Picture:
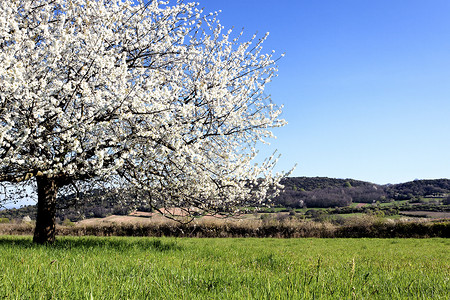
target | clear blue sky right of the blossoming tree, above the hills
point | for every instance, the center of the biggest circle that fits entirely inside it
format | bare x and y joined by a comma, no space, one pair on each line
365,84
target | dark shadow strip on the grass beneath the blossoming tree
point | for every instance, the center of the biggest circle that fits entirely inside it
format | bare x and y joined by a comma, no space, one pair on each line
120,244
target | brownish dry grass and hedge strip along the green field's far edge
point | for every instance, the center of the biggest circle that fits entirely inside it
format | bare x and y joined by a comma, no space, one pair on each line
287,227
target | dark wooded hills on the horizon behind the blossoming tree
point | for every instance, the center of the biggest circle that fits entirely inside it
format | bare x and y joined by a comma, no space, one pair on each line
299,192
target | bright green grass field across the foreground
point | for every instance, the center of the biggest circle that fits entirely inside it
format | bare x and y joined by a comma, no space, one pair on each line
169,268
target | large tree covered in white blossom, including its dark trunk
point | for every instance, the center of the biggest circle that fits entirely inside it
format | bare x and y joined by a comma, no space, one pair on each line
150,94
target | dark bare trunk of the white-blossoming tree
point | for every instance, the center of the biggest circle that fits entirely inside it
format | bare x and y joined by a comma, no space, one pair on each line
45,221
